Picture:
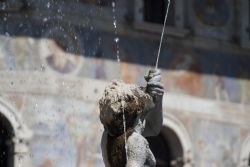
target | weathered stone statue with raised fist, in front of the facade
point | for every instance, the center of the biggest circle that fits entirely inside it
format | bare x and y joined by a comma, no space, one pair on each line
129,113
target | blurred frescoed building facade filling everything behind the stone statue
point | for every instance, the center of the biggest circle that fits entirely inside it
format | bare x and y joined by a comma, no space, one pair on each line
57,56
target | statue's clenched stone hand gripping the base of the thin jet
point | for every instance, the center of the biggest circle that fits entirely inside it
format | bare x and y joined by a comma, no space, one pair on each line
154,86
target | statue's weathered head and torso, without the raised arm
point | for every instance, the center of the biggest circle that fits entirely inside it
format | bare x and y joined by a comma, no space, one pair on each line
121,109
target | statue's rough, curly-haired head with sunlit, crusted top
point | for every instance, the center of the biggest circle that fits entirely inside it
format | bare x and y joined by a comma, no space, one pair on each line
122,98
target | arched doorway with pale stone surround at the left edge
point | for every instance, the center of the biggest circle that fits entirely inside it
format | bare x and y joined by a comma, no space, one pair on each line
14,138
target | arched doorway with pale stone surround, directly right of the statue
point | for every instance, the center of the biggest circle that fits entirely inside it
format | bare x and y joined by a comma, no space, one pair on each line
172,147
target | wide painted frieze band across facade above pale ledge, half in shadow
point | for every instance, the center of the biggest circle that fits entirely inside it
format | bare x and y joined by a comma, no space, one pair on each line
198,72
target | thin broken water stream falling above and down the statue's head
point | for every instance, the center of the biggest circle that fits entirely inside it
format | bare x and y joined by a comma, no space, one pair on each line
116,40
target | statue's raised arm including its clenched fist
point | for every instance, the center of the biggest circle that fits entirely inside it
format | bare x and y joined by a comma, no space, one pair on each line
154,118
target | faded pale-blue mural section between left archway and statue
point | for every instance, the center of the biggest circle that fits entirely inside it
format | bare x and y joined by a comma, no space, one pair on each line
68,133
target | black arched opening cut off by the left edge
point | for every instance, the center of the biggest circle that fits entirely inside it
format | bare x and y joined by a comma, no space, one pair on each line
6,143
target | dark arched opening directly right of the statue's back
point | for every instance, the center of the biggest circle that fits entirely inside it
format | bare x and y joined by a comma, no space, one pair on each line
167,149
